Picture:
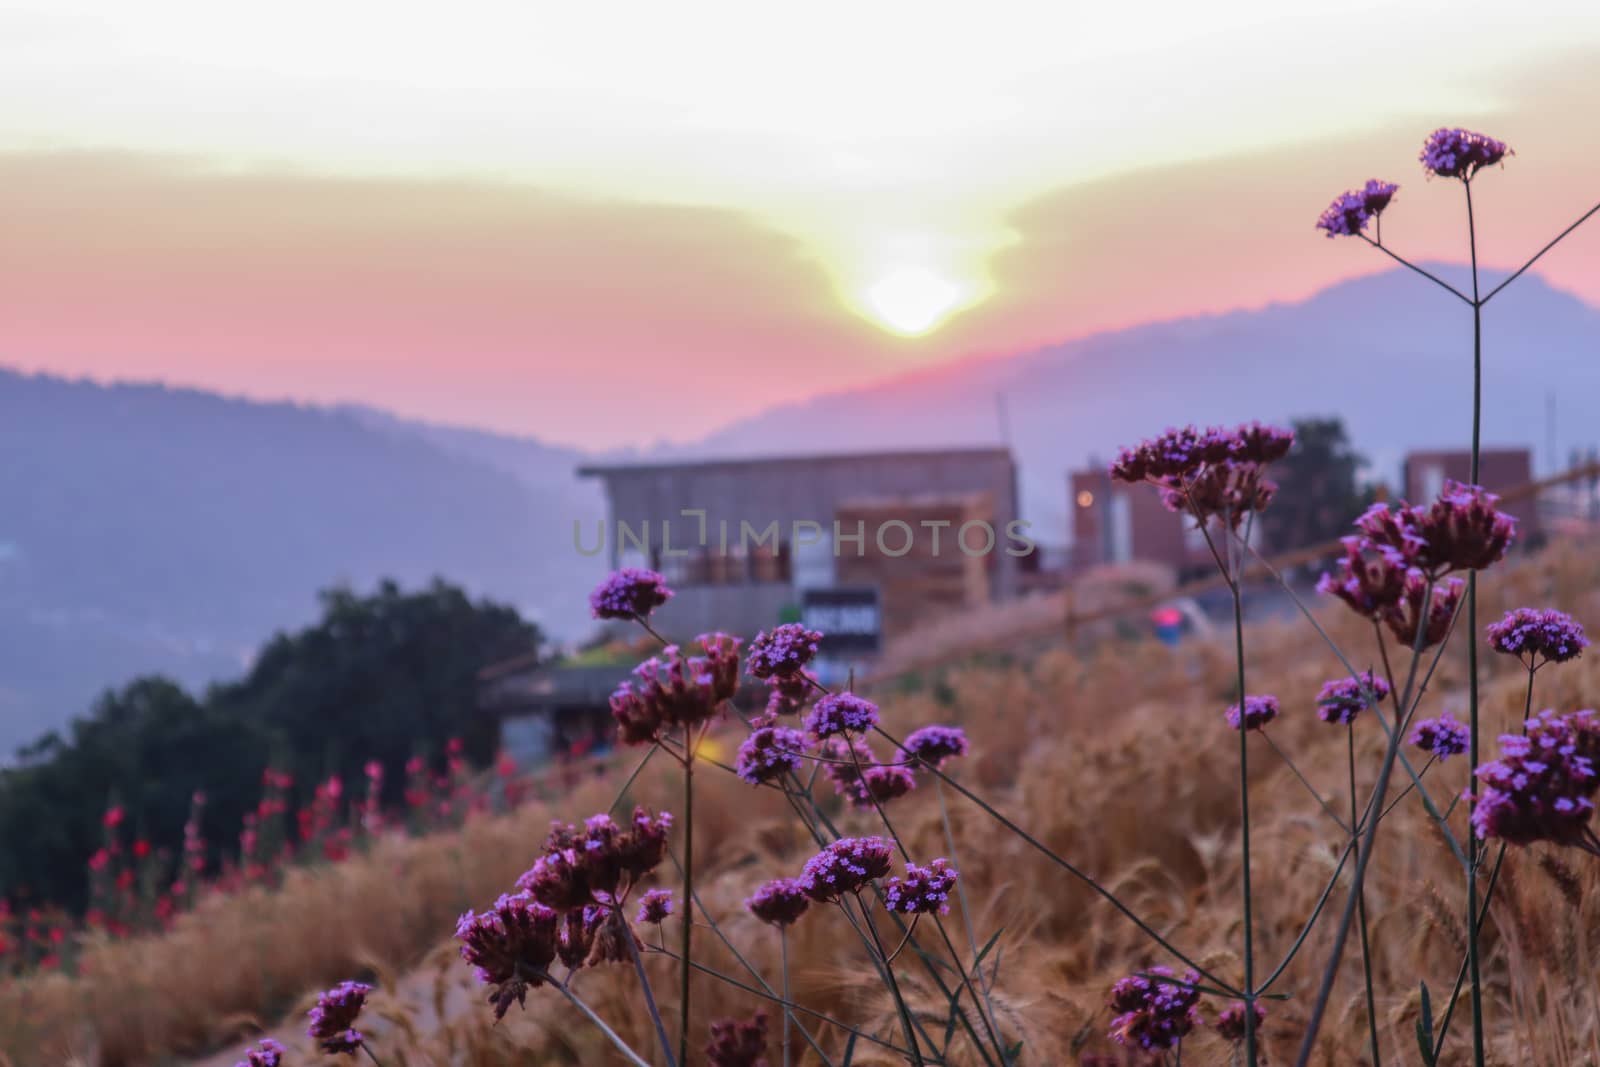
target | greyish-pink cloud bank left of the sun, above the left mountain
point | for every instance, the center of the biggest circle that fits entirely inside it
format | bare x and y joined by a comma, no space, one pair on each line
497,305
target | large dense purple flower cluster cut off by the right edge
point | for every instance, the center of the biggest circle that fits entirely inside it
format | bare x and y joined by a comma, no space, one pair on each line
1543,786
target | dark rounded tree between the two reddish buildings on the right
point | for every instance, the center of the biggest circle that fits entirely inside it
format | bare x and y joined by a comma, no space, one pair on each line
1318,497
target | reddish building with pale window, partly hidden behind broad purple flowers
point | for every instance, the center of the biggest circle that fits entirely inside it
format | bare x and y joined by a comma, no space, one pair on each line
1127,524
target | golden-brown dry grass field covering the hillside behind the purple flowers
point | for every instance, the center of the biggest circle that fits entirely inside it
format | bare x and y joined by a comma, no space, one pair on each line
1118,759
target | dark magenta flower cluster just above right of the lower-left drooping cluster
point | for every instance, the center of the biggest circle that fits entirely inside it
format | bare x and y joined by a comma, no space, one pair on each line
599,861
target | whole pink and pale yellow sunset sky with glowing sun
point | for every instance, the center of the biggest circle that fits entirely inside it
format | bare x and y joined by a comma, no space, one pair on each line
615,225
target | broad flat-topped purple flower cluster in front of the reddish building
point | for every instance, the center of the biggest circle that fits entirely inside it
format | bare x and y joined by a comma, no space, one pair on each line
1209,473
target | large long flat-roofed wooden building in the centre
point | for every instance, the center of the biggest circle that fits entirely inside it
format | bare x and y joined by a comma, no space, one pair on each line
743,540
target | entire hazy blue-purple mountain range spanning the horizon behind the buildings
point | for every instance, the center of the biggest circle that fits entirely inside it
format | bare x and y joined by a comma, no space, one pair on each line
170,530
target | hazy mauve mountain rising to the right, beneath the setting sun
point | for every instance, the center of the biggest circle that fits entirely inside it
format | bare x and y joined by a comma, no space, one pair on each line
1390,353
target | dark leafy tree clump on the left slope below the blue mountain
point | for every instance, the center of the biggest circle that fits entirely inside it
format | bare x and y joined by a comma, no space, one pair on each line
378,677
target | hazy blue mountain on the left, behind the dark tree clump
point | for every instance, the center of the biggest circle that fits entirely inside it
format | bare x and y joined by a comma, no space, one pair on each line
166,530
